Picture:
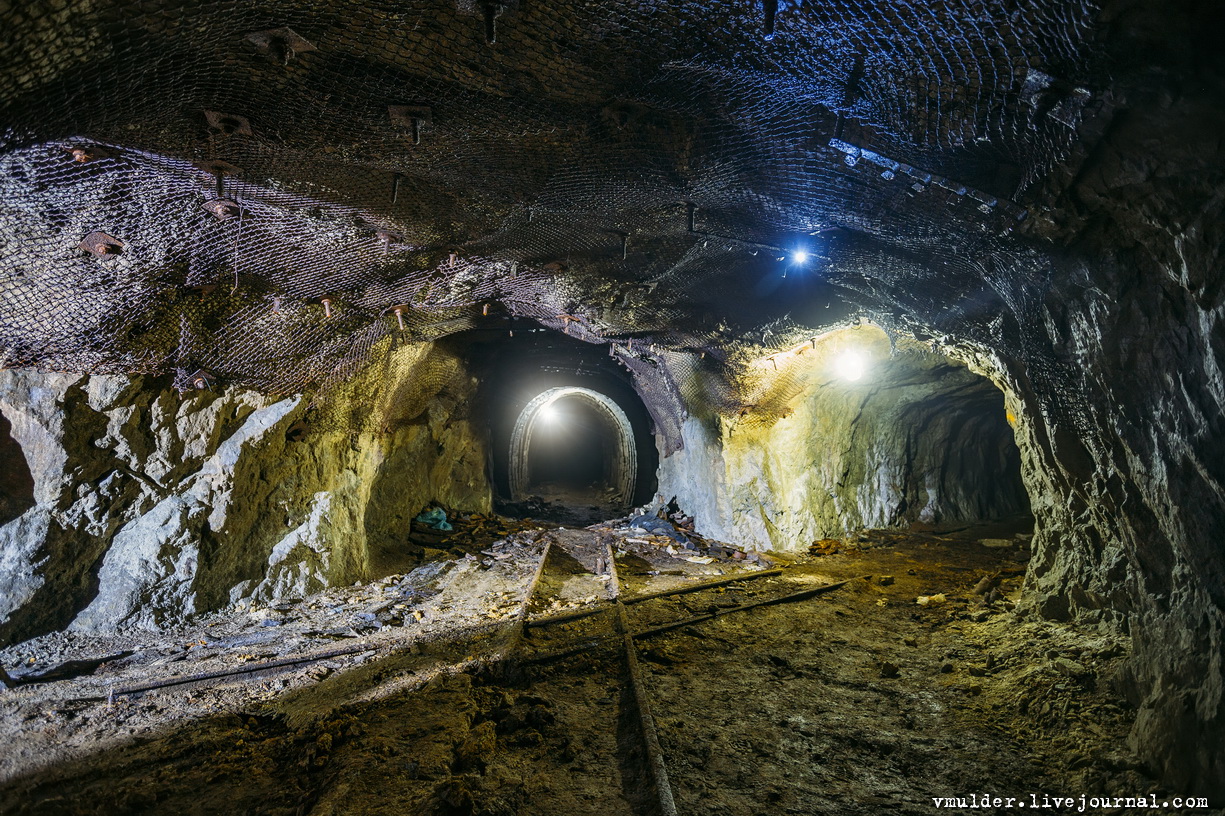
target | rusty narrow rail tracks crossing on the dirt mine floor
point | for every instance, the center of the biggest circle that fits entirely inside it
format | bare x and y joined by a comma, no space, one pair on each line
584,661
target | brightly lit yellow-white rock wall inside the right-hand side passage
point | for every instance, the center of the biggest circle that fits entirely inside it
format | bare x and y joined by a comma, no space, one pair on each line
919,438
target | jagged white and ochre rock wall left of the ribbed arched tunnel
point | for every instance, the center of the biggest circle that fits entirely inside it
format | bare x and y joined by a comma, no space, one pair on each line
150,507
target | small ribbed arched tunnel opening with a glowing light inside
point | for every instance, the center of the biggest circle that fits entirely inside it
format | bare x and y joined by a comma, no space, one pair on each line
575,447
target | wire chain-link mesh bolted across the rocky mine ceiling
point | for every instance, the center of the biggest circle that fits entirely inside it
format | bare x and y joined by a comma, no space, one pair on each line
263,193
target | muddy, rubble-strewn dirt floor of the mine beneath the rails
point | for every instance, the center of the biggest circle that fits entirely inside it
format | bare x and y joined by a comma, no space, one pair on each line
861,700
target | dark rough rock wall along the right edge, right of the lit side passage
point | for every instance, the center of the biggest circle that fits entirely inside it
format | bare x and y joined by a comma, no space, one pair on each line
1136,529
